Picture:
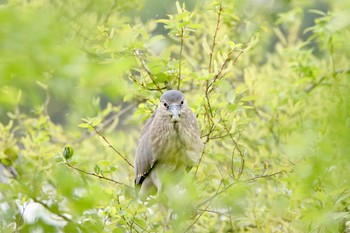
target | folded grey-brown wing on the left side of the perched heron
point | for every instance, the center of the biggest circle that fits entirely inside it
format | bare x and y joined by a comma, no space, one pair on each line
144,161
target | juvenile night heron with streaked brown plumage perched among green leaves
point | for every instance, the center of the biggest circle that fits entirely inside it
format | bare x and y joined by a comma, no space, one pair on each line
169,144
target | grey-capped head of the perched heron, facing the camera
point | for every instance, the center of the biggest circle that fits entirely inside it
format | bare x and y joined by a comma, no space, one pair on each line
173,101
